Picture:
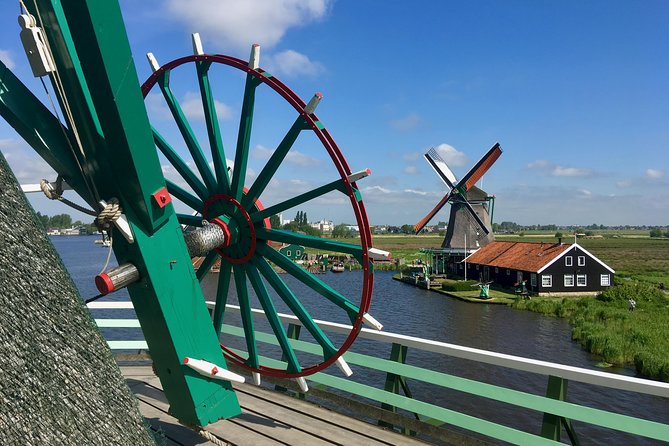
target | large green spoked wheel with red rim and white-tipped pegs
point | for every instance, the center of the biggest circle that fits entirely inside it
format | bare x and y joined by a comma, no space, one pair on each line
211,191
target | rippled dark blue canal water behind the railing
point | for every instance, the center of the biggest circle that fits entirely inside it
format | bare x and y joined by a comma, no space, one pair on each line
412,311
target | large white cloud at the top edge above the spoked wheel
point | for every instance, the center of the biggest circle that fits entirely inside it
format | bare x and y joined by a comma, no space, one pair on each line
235,24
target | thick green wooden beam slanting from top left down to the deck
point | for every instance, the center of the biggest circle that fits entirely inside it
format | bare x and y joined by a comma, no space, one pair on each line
101,87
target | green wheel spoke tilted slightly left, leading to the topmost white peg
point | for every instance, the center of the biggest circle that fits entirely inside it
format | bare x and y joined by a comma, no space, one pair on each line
213,129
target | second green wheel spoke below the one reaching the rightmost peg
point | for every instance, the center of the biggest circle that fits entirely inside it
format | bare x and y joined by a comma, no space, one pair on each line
295,305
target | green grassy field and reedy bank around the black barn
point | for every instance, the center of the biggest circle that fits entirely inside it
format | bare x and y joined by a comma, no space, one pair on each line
602,325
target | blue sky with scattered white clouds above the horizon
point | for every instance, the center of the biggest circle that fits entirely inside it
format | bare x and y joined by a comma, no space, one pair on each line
575,92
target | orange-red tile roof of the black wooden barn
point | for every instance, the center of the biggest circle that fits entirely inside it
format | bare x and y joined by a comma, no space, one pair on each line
524,256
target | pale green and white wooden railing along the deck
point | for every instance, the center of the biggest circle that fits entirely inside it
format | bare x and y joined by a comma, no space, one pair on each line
557,413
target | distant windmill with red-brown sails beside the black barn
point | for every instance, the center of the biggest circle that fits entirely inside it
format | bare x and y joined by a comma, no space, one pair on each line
469,224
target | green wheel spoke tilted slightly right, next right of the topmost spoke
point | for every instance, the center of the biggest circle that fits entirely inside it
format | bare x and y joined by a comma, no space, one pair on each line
244,138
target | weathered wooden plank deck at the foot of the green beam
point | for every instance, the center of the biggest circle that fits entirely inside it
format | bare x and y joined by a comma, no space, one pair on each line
268,418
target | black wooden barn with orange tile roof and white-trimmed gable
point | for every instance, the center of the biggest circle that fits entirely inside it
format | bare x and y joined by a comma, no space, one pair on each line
547,269
